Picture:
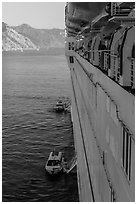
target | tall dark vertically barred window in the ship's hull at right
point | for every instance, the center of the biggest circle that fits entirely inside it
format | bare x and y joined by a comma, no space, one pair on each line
126,154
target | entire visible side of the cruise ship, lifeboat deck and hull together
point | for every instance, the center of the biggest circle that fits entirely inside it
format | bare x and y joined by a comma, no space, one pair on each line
100,46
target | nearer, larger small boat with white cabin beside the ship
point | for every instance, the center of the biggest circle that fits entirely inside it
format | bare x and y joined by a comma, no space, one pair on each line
55,163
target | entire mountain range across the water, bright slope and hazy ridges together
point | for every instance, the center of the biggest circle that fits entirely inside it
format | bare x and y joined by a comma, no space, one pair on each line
24,37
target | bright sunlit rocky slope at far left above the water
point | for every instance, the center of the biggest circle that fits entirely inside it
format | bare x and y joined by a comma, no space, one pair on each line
12,40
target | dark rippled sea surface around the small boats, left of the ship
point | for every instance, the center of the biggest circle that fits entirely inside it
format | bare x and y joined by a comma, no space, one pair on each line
31,129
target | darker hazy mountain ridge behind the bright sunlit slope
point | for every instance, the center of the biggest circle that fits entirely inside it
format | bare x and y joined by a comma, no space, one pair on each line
43,38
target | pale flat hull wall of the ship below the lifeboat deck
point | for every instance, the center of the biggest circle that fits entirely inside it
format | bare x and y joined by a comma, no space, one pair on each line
100,107
